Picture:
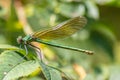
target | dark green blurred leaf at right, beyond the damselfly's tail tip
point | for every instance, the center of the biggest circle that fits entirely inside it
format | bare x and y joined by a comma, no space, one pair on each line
104,37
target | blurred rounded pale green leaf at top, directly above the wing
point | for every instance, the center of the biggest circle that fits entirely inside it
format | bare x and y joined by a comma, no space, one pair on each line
71,10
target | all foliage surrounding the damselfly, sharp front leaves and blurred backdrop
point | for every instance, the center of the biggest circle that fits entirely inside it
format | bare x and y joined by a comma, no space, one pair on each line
101,35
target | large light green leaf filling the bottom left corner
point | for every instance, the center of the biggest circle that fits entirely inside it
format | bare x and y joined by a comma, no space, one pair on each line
13,66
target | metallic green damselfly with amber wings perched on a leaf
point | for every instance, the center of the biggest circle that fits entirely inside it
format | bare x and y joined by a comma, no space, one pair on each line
62,30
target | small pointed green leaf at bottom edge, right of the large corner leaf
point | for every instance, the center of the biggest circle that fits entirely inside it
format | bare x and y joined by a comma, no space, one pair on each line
49,72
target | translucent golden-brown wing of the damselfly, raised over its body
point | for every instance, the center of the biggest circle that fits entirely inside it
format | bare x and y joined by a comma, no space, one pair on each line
62,30
